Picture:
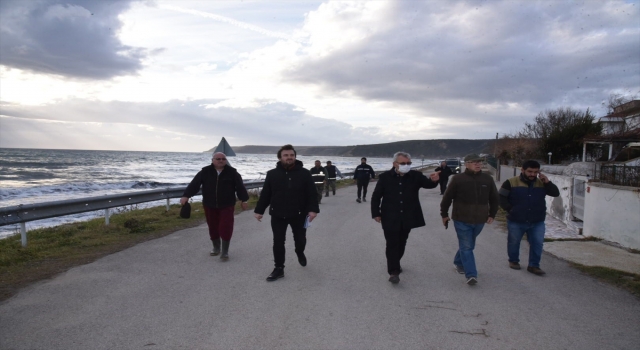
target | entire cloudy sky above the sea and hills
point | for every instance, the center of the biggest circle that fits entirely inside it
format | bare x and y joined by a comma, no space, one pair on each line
179,75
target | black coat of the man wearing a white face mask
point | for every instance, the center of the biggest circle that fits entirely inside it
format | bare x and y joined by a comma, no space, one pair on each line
400,206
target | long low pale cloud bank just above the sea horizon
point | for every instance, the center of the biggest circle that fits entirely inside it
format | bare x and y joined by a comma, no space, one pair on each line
191,121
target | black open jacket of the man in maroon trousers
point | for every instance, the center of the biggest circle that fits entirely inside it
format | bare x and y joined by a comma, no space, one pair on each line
218,191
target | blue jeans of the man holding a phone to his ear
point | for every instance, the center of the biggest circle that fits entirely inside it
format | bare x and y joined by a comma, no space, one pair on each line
535,235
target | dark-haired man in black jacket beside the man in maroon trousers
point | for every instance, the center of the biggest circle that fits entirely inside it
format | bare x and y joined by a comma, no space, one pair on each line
291,196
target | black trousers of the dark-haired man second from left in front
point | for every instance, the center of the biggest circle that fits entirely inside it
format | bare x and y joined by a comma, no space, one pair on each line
279,227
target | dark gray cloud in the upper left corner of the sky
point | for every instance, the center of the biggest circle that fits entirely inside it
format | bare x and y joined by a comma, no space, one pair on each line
72,38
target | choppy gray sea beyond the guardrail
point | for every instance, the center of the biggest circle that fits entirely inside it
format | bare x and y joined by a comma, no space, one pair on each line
42,175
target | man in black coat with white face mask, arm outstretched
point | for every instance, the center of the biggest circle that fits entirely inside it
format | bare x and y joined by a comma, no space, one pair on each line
400,210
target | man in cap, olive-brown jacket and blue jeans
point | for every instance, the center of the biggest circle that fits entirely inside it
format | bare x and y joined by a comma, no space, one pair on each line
475,202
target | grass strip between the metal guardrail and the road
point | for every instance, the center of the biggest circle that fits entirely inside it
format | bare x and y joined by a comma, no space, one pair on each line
53,250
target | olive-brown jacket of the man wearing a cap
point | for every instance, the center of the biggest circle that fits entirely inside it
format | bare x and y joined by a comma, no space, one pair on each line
474,195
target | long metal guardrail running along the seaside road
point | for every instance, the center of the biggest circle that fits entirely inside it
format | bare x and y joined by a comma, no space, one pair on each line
20,214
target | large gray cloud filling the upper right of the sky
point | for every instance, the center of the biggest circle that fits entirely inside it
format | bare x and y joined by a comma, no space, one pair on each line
536,54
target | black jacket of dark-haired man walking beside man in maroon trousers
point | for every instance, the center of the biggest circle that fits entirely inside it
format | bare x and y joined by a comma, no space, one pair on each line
288,192
